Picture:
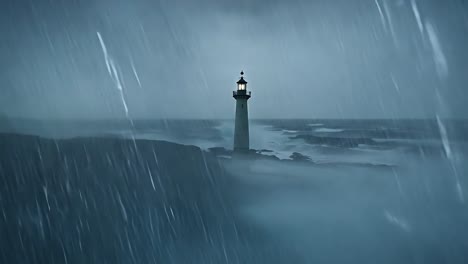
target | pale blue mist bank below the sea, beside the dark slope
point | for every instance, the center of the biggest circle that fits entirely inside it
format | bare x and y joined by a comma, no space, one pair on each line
410,213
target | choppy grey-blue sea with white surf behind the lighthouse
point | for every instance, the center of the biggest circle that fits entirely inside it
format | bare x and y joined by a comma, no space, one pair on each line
353,141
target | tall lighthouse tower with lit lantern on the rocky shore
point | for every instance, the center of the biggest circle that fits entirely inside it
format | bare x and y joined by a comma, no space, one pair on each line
241,132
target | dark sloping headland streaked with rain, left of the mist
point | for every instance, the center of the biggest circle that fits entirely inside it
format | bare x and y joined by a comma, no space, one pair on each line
104,200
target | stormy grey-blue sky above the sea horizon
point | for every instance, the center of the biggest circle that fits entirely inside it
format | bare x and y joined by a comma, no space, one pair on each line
181,58
